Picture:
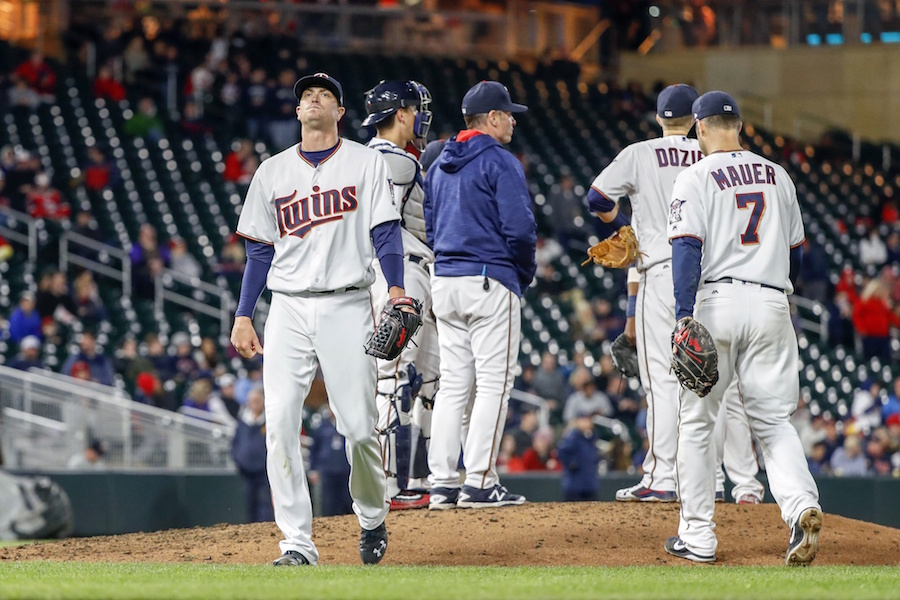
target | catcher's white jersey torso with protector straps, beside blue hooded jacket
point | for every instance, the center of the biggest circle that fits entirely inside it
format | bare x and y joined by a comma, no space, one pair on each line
406,173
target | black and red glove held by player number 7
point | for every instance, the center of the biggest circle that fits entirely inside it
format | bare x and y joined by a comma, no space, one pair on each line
694,356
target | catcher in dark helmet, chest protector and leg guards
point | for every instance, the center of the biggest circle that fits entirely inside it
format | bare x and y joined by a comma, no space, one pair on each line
406,385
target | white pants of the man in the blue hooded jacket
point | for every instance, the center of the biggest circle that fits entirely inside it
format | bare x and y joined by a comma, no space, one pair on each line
478,334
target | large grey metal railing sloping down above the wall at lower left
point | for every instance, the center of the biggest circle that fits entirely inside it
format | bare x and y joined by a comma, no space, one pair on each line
46,419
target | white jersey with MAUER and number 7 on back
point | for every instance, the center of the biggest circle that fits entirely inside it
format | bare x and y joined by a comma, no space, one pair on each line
744,209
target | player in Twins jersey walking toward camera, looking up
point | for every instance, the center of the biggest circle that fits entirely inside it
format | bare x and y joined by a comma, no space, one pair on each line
314,218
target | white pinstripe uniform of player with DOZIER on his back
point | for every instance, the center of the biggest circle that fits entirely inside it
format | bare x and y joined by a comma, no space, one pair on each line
645,172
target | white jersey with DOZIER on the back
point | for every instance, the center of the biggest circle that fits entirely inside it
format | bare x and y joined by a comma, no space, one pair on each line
646,171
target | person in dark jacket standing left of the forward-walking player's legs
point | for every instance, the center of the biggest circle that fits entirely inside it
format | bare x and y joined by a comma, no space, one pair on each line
248,449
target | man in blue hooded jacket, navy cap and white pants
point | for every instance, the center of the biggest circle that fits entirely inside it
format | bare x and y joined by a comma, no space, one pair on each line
479,222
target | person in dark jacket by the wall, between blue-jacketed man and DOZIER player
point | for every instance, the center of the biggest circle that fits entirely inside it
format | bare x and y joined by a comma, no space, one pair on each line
580,459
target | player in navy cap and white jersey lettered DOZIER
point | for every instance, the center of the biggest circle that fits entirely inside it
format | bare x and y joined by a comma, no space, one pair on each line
645,172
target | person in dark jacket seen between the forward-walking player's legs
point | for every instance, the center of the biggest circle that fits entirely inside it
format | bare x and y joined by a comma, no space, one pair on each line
329,469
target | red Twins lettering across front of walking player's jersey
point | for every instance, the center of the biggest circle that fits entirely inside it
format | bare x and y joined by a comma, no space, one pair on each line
297,216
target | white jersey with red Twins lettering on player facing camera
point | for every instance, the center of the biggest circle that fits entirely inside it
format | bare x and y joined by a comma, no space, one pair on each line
290,202
